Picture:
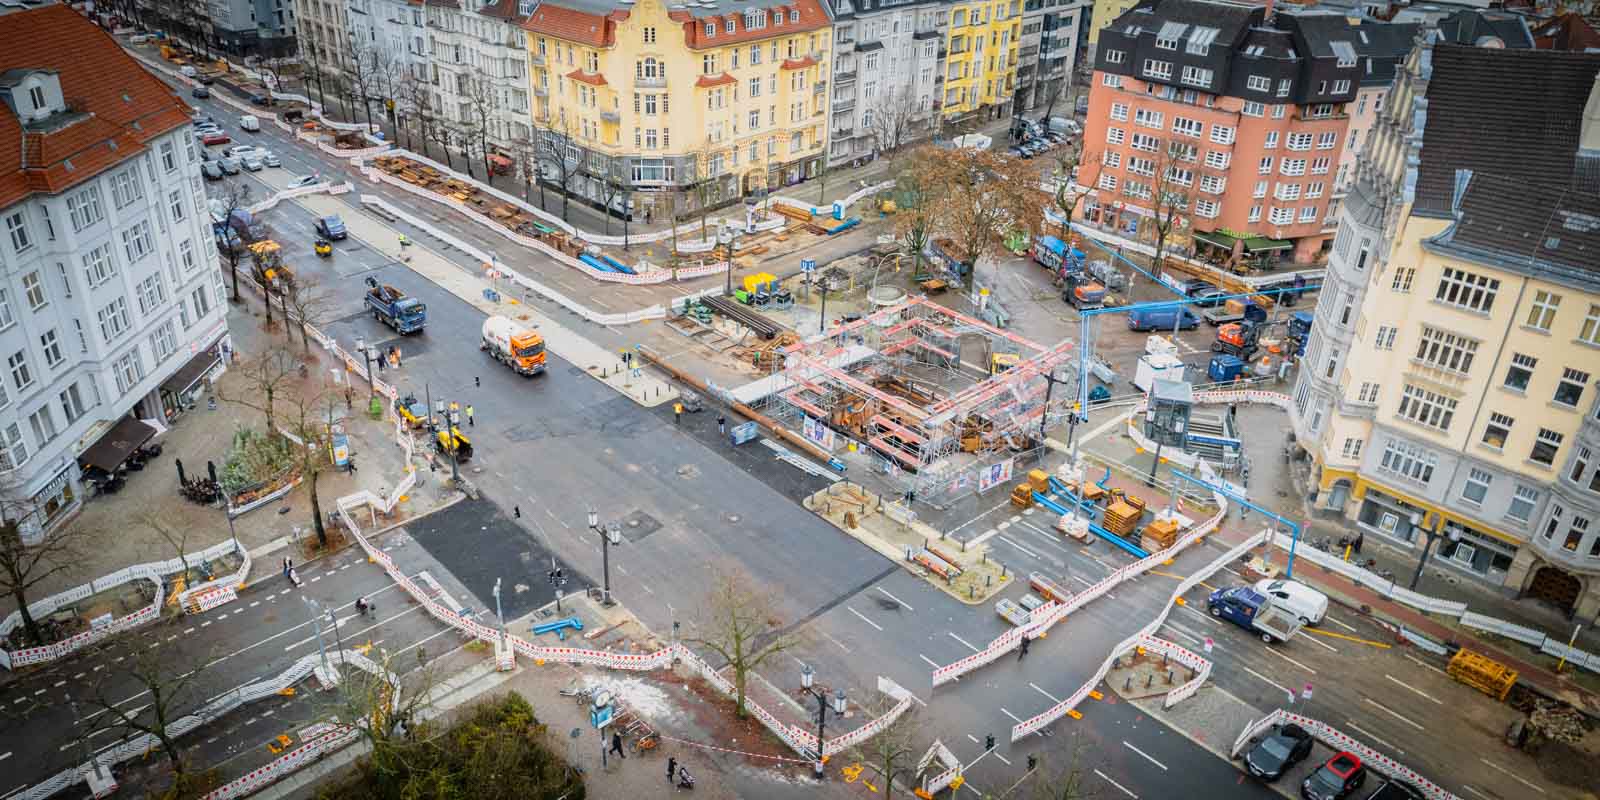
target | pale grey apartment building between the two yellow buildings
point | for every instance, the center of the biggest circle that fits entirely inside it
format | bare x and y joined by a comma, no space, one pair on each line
889,66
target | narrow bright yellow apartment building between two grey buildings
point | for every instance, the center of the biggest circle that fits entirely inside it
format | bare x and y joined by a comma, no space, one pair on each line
980,71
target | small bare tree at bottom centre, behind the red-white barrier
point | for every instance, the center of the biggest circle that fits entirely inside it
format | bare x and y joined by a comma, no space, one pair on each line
742,625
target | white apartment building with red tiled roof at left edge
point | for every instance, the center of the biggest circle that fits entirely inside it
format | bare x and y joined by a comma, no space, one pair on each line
113,308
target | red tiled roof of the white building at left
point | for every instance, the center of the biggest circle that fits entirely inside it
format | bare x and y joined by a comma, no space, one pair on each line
126,105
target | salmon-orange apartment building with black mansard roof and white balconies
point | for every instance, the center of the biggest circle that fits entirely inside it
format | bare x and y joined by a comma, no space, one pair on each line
1257,108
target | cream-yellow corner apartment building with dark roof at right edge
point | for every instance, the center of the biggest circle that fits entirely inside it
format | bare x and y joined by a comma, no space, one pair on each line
1449,394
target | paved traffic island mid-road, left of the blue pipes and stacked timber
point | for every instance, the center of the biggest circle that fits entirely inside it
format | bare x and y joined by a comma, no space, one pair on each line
967,574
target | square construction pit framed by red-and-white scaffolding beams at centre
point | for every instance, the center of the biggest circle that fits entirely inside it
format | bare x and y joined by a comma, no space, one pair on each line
934,401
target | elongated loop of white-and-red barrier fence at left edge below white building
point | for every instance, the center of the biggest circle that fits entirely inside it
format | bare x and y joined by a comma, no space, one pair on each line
154,572
